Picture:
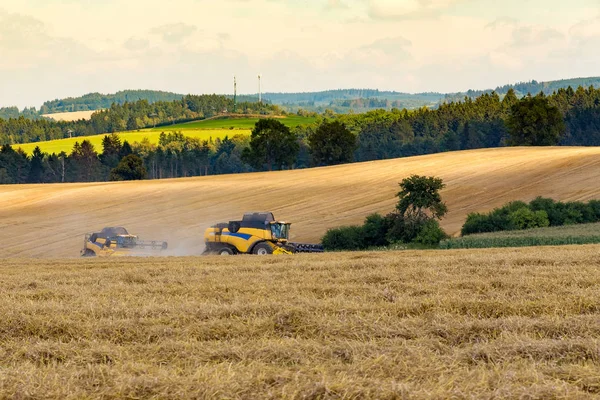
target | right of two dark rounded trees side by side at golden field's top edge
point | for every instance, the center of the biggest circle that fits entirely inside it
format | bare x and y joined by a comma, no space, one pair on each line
332,143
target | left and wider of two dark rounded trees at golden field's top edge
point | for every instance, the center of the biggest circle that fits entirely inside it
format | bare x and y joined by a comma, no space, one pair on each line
272,144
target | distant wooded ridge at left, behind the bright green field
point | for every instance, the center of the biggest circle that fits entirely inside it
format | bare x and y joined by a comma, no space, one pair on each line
127,116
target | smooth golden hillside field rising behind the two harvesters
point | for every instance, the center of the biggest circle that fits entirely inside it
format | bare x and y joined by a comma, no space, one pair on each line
50,220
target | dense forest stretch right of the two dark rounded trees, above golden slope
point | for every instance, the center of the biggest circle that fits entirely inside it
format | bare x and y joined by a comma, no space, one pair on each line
567,117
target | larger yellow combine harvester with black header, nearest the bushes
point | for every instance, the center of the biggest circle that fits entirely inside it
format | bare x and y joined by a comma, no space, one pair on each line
257,233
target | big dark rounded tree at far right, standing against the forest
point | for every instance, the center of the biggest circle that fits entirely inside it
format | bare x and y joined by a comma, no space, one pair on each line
534,122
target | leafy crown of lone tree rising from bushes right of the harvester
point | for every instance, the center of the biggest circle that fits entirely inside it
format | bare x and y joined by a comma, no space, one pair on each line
420,197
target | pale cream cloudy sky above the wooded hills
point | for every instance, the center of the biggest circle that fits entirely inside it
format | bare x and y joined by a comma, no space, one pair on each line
58,48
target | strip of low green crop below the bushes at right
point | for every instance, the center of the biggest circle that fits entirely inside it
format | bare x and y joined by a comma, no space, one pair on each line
555,236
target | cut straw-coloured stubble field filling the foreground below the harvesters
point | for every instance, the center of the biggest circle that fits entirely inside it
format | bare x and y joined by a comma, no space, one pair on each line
521,323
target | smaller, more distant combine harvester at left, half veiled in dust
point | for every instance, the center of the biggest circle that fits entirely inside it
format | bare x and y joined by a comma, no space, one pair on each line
116,241
